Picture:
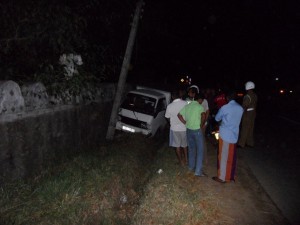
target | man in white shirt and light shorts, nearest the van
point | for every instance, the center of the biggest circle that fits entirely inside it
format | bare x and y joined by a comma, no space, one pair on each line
177,137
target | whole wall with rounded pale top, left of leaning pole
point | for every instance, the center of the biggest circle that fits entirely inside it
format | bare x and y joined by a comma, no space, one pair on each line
35,131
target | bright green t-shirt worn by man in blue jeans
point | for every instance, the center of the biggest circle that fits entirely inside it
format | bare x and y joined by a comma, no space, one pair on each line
192,115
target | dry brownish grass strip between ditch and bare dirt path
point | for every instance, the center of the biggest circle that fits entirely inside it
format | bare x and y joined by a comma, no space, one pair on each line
176,196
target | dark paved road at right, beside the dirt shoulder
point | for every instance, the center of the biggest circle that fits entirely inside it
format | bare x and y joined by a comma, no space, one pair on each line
275,162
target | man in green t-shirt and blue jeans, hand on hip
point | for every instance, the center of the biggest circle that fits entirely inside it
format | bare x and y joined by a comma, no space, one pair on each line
193,116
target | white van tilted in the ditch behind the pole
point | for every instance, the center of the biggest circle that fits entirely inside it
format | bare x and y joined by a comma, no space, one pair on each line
143,111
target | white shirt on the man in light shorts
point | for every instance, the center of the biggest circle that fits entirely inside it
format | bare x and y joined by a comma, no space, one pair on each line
171,113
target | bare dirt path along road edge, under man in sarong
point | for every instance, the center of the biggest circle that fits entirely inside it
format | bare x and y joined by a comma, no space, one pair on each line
245,201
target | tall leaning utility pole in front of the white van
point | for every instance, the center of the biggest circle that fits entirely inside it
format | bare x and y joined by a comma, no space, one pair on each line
123,75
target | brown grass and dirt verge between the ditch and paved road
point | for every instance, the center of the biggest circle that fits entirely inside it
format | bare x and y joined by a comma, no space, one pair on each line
241,202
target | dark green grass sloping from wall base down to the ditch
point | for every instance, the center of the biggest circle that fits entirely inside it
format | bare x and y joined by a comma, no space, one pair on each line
84,190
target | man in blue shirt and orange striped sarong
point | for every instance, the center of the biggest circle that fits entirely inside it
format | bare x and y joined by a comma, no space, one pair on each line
230,116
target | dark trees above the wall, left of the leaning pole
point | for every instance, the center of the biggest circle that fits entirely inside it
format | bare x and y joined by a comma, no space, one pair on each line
35,33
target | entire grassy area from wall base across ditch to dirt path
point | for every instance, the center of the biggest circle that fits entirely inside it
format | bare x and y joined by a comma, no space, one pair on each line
116,184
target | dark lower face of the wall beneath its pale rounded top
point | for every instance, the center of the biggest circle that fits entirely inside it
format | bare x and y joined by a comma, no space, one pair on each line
29,144
